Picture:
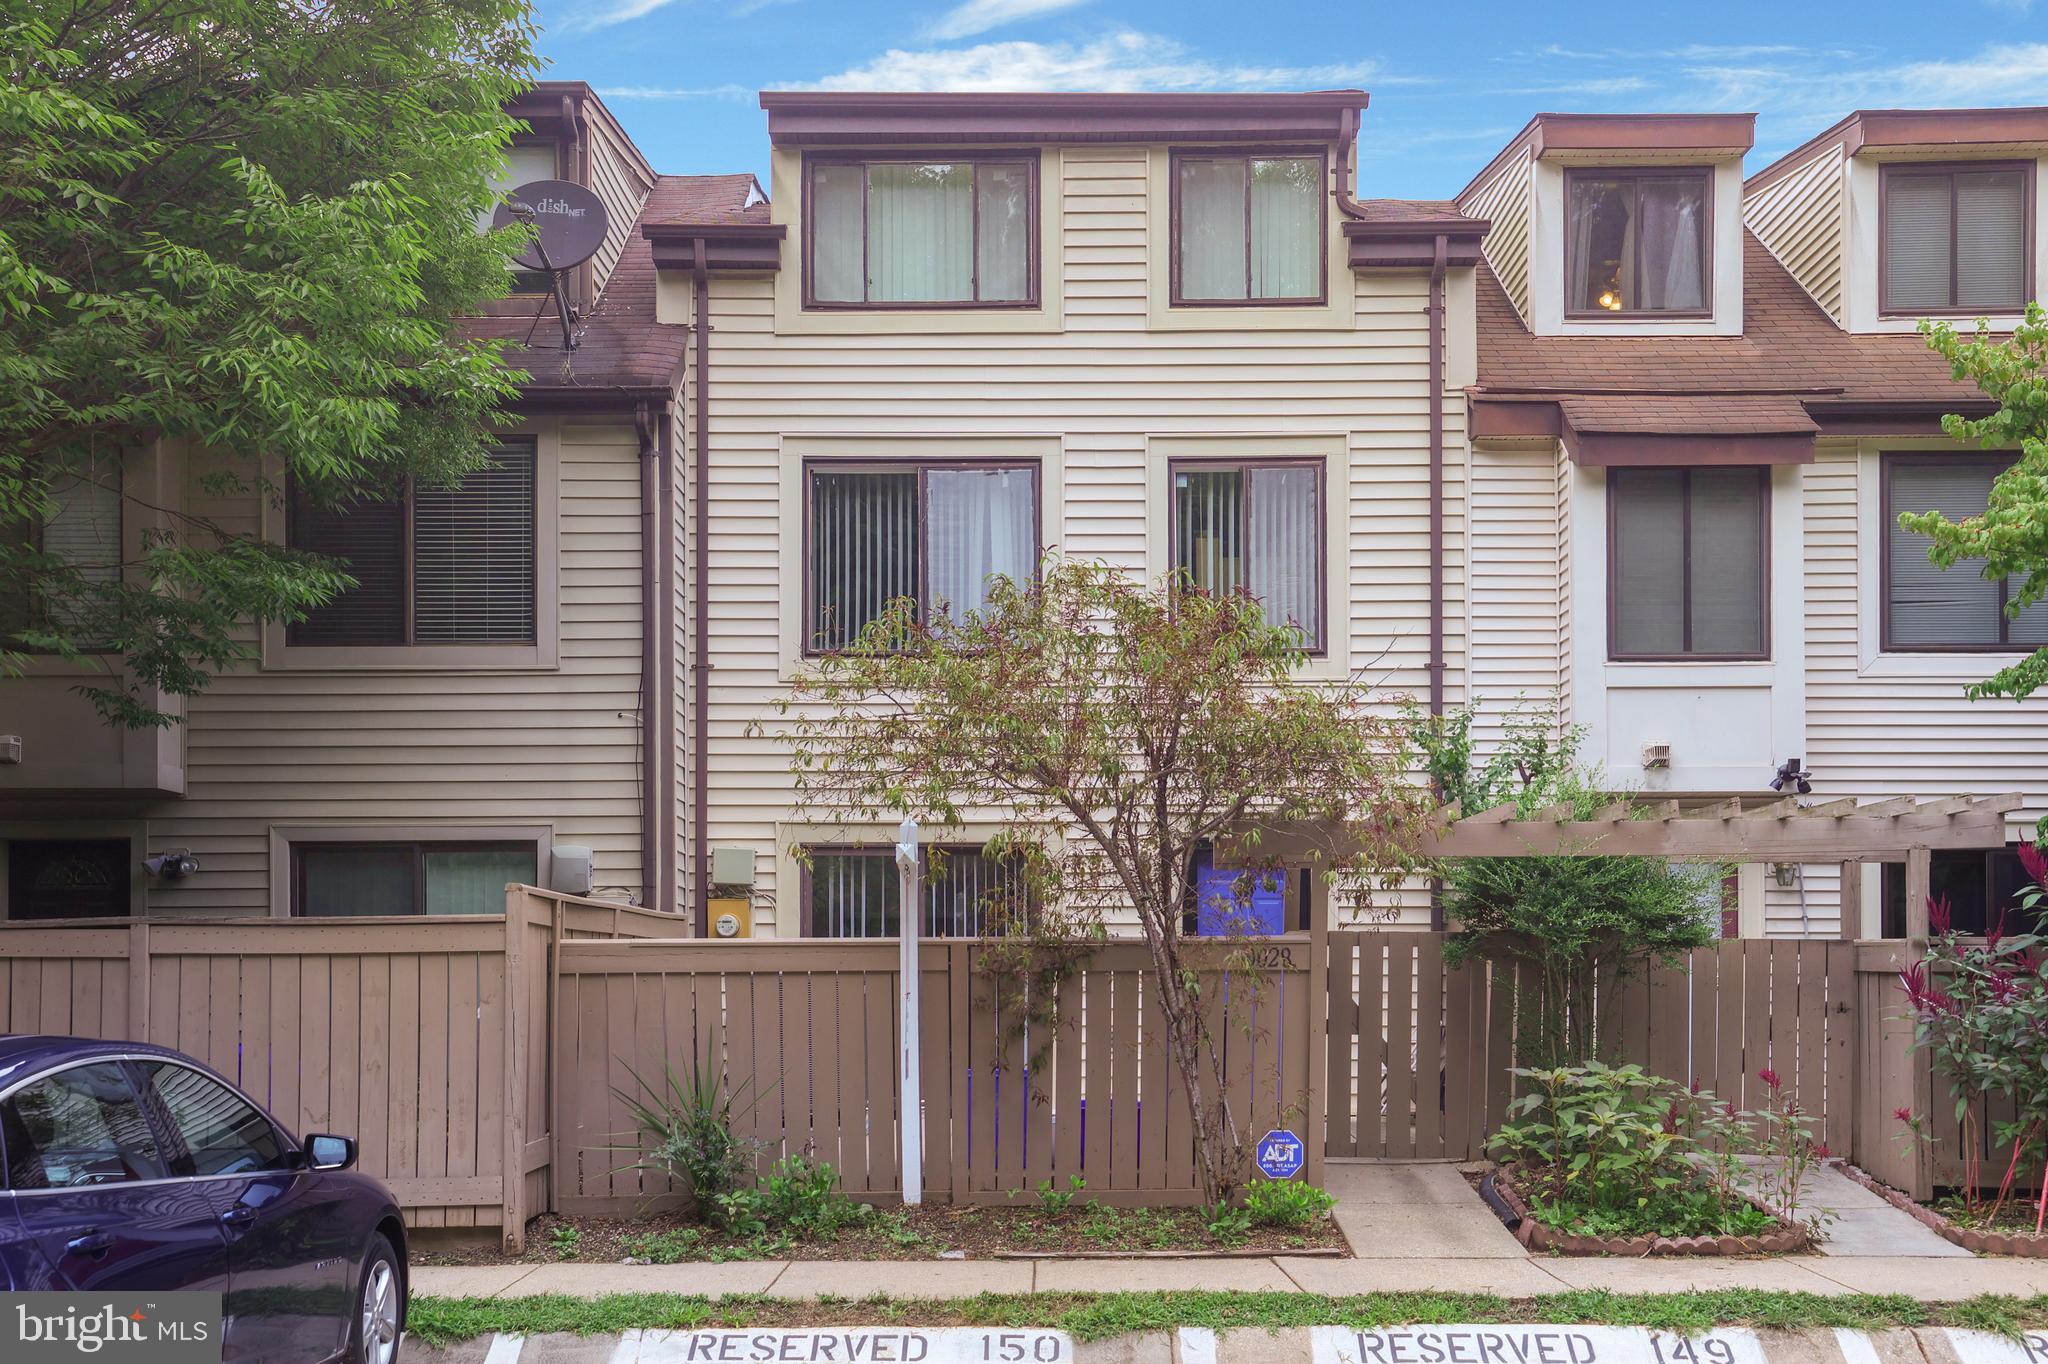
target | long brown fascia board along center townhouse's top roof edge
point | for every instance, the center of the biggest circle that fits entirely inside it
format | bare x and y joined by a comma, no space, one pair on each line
867,120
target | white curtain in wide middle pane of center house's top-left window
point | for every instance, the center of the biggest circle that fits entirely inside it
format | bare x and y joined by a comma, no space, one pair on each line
921,232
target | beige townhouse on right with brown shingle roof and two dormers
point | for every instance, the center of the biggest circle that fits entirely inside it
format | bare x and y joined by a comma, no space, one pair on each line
1701,402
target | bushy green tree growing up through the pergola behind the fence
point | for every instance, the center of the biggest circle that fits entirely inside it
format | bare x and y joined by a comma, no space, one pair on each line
1580,921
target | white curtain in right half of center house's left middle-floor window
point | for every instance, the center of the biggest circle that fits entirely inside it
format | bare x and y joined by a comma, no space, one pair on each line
980,525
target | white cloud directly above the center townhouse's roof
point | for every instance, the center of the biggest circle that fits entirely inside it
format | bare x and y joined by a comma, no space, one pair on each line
1119,62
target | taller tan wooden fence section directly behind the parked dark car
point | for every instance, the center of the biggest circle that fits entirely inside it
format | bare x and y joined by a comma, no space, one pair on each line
423,1039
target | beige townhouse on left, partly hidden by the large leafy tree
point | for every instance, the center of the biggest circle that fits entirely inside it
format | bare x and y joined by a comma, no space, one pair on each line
488,706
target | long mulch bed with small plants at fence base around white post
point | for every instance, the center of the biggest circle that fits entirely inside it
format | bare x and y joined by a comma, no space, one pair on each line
931,1232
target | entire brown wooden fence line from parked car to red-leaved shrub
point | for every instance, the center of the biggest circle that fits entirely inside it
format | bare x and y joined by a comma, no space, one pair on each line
480,1062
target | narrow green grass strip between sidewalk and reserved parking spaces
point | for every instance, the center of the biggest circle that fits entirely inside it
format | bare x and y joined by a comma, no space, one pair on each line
437,1322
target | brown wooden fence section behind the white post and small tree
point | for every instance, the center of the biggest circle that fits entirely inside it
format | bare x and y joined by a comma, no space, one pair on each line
806,1033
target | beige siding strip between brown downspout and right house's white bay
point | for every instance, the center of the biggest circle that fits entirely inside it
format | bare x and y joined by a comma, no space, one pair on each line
1519,585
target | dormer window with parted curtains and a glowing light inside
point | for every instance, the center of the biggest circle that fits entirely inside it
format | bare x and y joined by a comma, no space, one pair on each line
1637,241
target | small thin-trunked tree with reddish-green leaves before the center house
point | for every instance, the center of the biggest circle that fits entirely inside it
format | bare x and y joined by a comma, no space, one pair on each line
1109,728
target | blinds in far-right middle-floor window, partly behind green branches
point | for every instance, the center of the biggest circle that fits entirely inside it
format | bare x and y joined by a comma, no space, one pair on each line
1959,607
